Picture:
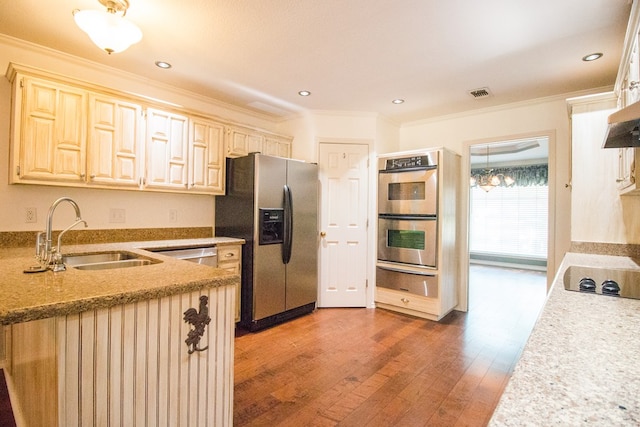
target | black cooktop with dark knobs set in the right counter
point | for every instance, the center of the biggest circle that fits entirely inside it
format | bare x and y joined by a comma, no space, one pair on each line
603,281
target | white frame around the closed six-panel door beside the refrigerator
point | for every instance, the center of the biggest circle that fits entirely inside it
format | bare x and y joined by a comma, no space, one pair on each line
371,209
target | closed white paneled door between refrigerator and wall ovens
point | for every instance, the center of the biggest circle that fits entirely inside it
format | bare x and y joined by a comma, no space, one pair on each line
343,173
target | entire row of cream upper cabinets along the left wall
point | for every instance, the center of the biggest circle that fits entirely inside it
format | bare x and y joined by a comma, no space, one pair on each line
65,132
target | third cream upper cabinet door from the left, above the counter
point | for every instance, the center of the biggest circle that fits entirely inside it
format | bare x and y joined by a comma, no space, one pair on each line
167,150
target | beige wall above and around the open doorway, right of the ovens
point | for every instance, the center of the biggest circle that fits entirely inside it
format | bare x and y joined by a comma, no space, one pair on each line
547,117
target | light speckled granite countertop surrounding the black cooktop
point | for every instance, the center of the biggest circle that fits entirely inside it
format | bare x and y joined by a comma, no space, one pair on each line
581,364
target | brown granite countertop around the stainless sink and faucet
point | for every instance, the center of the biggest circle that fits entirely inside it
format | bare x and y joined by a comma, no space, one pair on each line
31,296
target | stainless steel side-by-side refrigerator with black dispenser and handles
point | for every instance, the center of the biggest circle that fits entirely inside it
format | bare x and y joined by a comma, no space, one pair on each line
272,203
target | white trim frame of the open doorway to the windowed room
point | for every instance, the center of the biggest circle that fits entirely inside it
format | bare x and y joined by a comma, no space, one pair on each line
463,304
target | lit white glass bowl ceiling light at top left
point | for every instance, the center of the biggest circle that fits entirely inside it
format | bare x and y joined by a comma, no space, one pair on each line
109,29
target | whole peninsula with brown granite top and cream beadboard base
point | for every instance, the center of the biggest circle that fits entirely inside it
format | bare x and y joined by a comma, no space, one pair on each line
99,347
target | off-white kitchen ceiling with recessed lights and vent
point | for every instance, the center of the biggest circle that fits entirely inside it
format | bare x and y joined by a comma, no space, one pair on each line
353,55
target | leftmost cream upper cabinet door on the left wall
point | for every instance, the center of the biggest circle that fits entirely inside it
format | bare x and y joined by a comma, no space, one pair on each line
49,132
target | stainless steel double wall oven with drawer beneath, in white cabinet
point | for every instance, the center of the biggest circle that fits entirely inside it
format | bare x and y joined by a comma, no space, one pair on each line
408,223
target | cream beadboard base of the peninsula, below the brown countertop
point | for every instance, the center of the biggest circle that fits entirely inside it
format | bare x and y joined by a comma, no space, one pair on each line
126,365
